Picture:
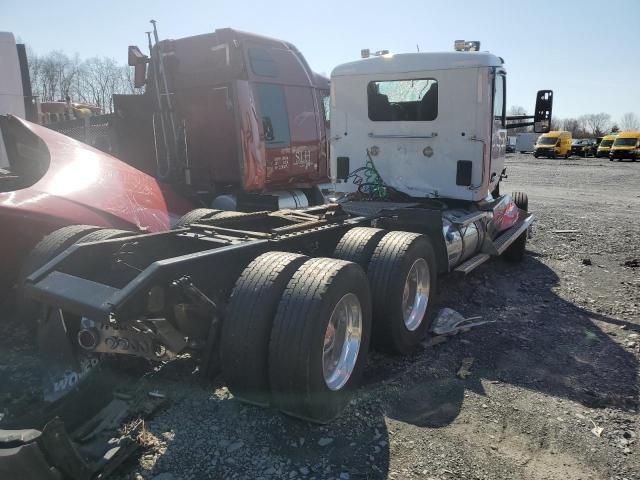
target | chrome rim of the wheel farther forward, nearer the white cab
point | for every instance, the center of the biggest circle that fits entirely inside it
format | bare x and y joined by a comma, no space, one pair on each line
415,296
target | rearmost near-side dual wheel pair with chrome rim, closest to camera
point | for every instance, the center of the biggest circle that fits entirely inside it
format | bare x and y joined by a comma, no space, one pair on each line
297,334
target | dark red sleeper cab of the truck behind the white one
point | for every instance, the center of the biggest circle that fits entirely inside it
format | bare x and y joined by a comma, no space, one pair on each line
251,110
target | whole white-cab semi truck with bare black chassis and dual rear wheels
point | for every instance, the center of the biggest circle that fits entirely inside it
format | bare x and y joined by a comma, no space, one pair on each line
287,303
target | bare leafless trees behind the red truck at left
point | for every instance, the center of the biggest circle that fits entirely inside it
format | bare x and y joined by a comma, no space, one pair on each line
56,76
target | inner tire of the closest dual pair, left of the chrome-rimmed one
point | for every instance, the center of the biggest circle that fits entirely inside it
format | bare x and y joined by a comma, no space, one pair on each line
247,327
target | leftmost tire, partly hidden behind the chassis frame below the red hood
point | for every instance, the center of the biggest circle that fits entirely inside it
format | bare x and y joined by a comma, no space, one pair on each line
44,251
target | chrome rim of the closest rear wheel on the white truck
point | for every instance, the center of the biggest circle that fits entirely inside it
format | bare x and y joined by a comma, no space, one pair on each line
342,342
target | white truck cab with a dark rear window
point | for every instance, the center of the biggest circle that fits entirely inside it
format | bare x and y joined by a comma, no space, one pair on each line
432,124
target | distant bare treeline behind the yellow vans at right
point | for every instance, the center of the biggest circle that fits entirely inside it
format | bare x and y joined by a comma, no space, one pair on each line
590,125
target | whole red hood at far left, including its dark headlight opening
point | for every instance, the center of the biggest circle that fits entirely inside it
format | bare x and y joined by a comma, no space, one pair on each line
68,182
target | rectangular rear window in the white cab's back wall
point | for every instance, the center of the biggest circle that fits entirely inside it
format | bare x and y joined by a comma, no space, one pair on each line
403,100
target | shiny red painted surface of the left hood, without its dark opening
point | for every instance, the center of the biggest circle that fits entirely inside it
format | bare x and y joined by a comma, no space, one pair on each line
81,180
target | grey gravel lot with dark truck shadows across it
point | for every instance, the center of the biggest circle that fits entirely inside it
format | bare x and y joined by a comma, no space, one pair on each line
553,391
